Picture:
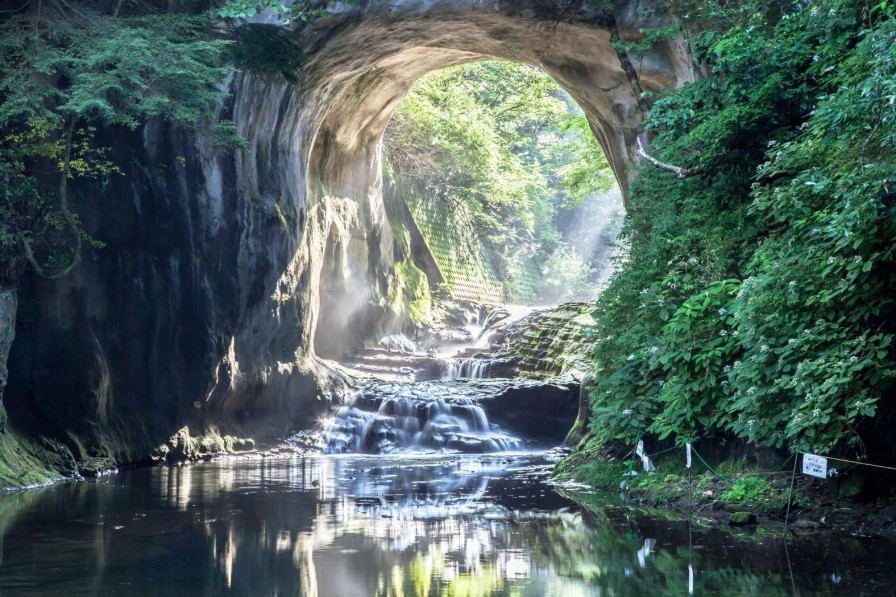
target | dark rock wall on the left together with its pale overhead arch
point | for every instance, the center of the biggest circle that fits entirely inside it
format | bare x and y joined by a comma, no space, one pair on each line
226,273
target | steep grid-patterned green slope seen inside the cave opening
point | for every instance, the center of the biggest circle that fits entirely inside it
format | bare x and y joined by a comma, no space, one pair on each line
451,237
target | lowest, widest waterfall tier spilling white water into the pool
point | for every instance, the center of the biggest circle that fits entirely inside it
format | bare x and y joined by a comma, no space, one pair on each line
388,418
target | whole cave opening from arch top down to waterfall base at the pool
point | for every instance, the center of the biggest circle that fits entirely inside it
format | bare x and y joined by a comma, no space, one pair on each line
504,217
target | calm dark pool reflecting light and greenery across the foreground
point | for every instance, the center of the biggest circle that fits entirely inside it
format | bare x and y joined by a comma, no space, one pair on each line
404,525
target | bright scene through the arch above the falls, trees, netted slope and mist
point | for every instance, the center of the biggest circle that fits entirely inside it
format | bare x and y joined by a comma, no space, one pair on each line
508,196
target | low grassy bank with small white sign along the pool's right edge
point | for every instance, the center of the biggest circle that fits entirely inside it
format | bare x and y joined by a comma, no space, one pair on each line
737,492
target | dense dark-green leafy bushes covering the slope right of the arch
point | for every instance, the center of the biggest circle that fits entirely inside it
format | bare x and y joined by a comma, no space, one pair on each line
757,301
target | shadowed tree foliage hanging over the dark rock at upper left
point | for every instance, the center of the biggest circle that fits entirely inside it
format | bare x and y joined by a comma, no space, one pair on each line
63,74
